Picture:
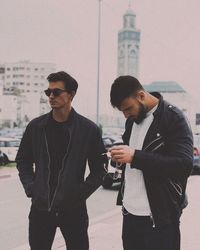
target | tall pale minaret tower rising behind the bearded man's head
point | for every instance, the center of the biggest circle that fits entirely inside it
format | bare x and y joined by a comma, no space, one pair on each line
128,45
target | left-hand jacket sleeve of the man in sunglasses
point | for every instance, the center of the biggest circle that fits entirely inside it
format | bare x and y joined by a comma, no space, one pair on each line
25,162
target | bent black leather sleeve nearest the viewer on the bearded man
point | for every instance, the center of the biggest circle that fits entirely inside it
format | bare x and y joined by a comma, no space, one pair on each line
177,159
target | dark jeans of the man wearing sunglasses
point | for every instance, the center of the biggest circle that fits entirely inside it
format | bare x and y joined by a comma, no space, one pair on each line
73,226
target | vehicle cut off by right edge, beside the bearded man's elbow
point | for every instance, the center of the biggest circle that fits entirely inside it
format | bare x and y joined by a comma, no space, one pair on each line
196,161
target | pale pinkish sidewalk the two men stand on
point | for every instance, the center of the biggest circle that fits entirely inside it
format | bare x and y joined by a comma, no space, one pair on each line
105,230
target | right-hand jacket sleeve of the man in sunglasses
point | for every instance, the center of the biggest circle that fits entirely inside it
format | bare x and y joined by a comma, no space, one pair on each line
96,165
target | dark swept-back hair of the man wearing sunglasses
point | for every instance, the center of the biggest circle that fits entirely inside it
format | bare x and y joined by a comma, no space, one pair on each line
69,82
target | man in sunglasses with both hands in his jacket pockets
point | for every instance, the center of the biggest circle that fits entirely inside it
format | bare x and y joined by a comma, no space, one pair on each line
52,160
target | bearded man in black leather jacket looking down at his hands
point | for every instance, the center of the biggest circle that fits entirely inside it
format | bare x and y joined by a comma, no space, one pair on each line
158,159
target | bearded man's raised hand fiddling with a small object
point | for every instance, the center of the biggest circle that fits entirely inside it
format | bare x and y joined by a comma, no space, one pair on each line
122,154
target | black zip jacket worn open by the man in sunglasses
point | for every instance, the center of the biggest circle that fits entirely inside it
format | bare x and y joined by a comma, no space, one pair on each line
32,159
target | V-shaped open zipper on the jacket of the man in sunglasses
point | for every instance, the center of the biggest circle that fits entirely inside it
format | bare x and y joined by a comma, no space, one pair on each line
50,204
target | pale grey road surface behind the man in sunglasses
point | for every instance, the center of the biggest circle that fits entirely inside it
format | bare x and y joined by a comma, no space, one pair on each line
14,209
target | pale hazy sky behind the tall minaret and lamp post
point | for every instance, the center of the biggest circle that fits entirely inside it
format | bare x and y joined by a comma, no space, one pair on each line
65,32
